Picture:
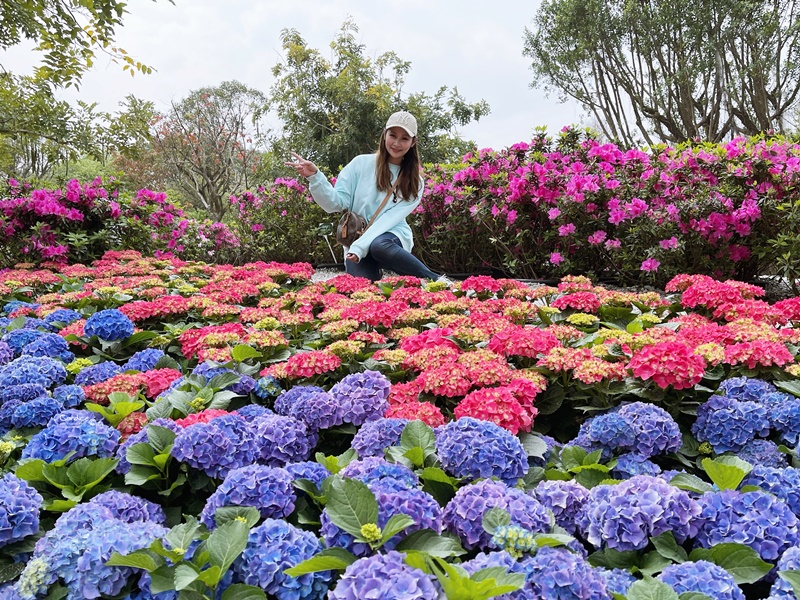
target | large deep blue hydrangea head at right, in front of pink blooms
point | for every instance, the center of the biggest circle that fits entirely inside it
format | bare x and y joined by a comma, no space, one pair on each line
729,424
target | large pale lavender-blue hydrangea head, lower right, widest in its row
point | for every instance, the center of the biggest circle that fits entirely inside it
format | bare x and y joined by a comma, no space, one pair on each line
624,516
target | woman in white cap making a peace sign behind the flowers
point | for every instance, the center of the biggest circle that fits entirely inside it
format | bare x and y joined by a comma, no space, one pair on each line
361,187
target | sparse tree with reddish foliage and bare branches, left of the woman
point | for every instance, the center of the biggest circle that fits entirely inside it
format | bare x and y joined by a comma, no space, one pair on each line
210,141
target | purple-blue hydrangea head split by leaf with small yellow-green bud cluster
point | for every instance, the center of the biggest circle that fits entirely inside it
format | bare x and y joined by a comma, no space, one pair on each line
417,504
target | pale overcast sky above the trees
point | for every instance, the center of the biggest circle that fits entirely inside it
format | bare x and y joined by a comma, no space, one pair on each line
475,46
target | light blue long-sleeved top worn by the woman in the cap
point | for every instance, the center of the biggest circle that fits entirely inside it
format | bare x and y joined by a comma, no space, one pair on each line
356,190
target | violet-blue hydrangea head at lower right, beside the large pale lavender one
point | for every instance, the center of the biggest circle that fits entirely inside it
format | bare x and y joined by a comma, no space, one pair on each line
757,519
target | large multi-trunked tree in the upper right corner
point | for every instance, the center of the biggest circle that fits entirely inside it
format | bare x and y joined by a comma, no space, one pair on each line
670,71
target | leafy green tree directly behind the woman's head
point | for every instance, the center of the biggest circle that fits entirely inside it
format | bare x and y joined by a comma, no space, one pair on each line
332,110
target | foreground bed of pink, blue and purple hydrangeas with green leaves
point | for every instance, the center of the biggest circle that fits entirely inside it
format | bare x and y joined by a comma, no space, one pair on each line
244,431
